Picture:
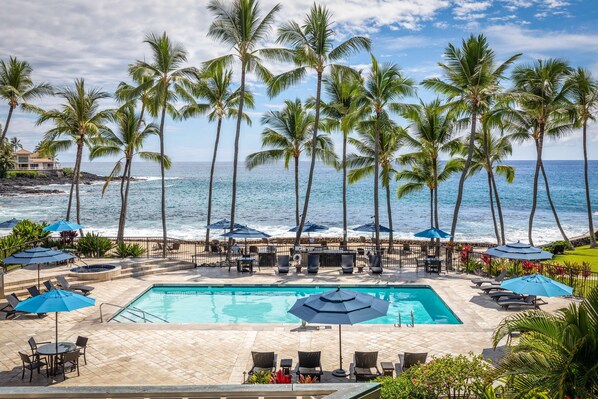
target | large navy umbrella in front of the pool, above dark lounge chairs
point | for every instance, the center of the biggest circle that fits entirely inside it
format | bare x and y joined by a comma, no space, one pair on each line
339,307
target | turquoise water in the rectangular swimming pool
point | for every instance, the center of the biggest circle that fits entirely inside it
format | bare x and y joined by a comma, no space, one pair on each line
269,304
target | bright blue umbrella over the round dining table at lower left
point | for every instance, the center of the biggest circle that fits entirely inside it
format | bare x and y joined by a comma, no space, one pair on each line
55,301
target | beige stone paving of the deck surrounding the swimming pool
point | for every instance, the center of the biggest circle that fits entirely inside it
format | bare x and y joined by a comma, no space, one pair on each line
181,354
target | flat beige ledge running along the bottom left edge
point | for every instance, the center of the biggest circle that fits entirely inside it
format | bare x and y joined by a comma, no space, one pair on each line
282,391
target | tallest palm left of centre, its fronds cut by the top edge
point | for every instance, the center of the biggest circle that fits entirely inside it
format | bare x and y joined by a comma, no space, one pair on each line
242,26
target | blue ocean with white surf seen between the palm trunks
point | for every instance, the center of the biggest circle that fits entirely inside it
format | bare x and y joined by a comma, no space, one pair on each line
265,201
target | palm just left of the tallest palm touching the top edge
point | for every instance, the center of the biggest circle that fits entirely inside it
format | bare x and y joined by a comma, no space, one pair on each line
213,87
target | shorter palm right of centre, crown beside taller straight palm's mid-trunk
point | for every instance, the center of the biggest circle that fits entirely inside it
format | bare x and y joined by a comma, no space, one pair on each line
389,140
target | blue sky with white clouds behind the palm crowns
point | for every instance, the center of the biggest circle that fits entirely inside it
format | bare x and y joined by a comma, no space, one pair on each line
68,39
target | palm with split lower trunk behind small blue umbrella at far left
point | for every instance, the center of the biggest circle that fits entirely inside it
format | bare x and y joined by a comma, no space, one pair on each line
81,121
